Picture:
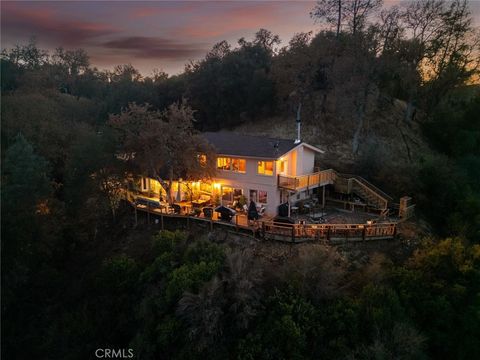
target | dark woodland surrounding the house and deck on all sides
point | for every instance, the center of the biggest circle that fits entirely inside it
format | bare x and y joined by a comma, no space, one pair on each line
66,290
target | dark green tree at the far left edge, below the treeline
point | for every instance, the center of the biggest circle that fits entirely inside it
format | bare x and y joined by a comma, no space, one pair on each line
25,193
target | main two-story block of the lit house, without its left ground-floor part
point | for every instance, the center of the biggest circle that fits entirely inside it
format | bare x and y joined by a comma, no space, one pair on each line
261,169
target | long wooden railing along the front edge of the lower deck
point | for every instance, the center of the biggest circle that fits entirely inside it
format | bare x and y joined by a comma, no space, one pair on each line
266,228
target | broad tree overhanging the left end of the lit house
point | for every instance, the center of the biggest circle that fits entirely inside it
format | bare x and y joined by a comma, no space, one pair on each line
164,145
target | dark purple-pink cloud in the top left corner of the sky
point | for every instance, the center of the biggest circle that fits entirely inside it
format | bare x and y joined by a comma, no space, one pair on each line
46,23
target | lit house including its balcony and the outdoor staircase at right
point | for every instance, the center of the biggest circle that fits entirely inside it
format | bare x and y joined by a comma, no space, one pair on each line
271,172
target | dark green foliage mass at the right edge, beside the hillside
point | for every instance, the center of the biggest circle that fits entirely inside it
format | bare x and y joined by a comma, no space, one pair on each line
449,194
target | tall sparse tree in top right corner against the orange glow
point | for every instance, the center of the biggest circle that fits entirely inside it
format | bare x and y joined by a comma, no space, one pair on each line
441,52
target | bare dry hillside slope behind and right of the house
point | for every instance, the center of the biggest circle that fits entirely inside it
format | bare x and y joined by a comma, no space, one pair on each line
389,147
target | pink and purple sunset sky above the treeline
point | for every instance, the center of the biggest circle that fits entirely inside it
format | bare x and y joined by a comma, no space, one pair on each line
162,35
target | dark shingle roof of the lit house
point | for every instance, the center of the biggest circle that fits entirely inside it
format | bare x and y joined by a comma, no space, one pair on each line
227,143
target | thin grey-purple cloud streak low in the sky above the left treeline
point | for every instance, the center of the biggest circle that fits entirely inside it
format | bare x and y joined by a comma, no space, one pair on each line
155,47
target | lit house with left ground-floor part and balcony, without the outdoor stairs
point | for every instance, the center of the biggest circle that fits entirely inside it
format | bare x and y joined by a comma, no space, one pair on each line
268,171
